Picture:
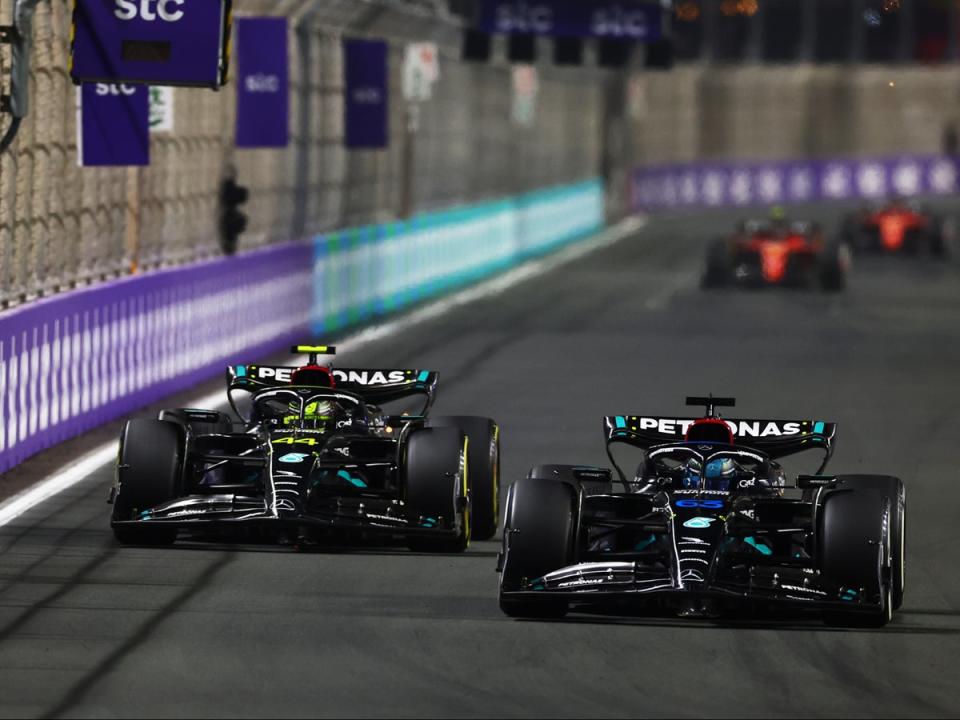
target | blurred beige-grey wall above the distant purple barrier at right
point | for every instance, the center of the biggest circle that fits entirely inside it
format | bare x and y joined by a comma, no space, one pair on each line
700,113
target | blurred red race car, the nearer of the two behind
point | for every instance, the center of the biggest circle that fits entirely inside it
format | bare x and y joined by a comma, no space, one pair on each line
777,252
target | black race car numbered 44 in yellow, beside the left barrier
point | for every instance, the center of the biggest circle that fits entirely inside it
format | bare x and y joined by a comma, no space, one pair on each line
315,455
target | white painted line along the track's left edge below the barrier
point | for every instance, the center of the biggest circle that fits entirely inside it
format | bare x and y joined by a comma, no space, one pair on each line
105,454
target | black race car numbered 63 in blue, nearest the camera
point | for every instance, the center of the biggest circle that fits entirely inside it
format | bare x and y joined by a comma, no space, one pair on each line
707,526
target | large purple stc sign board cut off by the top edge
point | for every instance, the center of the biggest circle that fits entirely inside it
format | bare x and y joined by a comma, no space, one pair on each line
162,42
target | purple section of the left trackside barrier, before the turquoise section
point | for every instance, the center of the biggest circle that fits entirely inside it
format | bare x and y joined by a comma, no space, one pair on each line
75,361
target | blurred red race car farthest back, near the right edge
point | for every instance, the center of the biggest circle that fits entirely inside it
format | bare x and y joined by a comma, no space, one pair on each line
897,226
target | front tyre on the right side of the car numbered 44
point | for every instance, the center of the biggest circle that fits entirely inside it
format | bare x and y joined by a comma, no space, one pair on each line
437,487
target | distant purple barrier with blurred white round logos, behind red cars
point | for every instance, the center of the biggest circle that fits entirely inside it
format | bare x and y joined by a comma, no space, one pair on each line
676,187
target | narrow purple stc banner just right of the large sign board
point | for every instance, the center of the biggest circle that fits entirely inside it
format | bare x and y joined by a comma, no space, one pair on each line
263,85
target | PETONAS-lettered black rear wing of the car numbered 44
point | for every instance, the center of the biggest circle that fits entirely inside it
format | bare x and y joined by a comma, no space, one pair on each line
373,385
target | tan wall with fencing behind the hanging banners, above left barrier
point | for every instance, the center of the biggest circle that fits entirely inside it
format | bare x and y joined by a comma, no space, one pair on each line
63,227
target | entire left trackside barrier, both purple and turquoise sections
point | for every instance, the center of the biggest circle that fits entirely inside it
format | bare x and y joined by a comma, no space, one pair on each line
78,360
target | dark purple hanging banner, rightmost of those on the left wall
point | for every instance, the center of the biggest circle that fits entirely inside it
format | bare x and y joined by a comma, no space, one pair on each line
366,70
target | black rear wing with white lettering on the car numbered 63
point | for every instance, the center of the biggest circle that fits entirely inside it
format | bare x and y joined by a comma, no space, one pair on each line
775,438
